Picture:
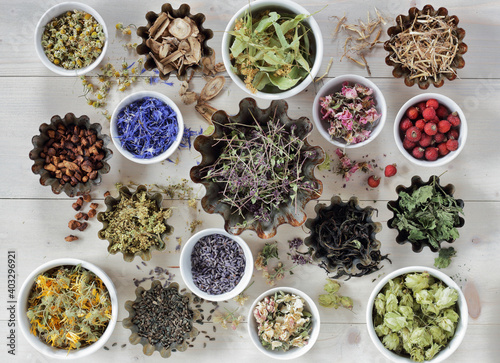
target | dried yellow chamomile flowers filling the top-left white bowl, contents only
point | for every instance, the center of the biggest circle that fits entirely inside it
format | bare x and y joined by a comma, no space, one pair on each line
73,40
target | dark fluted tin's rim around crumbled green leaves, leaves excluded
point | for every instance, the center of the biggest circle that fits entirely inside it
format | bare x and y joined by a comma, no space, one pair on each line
393,206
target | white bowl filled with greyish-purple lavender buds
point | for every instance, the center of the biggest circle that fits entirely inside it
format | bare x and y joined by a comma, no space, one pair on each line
216,265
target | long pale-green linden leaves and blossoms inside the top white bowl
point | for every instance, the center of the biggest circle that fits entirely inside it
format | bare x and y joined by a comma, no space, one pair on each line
271,51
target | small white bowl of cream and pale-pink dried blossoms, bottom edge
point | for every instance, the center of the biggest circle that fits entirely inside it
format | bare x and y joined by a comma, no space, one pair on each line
284,323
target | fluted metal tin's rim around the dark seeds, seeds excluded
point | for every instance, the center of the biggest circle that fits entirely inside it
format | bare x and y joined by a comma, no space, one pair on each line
148,349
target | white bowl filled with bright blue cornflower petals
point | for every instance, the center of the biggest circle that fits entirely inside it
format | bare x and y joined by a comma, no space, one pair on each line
146,127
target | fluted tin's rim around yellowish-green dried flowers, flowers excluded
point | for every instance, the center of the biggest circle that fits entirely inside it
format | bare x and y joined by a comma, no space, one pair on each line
112,202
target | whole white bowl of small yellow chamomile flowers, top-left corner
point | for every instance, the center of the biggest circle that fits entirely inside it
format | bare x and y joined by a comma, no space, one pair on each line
71,39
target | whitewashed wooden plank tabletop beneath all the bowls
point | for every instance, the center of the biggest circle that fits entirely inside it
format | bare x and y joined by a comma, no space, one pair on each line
34,221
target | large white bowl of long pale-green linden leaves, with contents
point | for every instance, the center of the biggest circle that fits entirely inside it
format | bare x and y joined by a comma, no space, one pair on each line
272,49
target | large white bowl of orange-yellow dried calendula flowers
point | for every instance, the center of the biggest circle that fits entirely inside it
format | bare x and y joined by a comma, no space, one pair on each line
67,308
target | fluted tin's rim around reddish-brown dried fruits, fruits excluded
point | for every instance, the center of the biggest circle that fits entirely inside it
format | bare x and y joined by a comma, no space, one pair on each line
39,141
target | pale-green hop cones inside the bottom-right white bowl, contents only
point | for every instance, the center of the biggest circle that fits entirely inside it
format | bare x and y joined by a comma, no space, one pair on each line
416,315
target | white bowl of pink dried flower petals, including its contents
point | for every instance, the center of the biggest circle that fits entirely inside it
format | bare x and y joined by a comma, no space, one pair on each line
349,111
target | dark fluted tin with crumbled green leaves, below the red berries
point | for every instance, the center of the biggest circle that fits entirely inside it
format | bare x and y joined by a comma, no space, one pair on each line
426,214
